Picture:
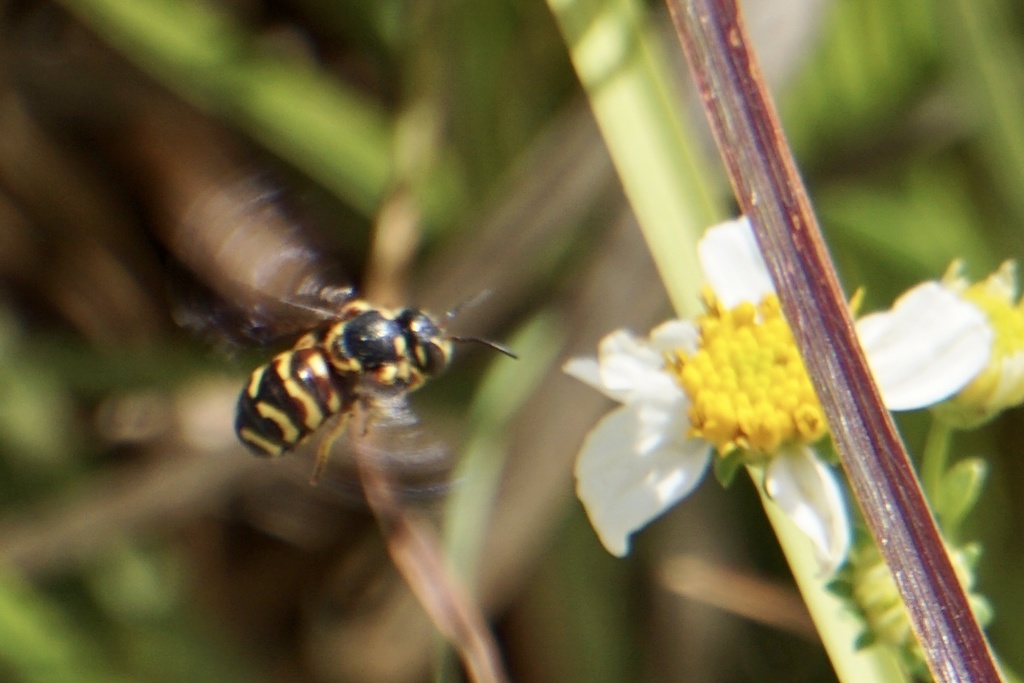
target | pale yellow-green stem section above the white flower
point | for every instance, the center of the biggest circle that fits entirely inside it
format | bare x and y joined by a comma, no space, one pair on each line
622,66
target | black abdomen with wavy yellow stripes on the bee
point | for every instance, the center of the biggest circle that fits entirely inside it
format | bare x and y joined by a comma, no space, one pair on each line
287,400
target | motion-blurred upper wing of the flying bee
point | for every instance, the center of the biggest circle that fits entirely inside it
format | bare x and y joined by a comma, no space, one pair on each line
244,271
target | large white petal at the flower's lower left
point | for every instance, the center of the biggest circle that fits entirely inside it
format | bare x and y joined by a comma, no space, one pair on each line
623,488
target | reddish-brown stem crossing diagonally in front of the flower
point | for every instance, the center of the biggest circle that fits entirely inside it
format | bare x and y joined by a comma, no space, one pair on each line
772,194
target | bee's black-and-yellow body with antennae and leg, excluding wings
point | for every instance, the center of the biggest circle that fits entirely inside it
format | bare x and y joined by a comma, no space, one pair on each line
362,357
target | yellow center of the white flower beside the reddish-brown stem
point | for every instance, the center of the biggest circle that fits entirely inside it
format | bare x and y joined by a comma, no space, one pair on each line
747,382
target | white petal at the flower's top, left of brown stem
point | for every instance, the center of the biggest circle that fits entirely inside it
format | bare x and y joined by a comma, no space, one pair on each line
733,264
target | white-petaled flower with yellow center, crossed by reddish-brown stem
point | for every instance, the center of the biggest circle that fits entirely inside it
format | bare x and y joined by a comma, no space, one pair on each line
734,379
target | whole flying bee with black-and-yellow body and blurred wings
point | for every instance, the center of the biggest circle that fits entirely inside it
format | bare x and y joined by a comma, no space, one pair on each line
248,272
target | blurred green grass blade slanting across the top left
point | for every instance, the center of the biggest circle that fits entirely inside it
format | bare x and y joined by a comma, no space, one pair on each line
334,134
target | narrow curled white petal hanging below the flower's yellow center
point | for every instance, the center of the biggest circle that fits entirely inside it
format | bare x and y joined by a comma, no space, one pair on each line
806,490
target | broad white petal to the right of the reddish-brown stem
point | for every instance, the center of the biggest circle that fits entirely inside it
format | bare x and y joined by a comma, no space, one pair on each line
927,348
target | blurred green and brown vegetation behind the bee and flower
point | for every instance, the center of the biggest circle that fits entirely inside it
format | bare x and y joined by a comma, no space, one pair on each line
170,170
